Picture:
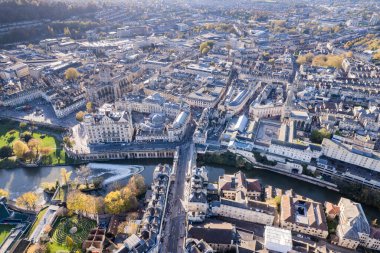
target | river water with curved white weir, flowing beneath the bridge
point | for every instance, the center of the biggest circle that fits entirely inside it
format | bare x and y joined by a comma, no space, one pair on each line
21,180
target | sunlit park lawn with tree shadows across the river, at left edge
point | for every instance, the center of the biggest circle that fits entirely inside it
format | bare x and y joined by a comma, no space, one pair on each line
10,132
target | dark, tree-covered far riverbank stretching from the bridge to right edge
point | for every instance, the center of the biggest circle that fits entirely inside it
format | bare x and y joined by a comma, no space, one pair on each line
230,160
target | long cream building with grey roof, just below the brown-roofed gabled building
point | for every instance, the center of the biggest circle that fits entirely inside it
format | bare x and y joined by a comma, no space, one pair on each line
248,210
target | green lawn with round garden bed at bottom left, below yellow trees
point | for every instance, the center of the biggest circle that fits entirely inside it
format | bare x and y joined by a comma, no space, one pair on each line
62,229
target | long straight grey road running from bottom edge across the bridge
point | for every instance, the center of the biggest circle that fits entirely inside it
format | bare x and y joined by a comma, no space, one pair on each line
175,229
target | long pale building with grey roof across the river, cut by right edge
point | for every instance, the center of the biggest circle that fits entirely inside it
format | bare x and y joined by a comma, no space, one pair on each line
355,155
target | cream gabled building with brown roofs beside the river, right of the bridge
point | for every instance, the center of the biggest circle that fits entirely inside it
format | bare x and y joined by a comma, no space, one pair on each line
237,187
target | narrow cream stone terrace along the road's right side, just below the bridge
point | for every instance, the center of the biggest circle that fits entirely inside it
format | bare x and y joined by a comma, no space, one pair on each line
196,204
